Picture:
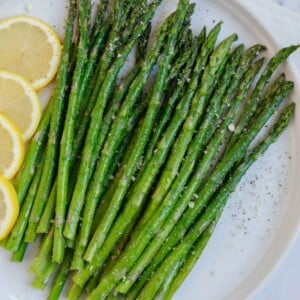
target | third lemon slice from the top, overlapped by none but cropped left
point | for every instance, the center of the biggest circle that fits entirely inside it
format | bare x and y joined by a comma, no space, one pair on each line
11,148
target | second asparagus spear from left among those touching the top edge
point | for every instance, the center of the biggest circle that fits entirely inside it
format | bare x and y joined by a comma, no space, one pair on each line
66,143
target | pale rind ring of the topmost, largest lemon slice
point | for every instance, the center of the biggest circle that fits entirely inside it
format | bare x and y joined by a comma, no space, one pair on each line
52,38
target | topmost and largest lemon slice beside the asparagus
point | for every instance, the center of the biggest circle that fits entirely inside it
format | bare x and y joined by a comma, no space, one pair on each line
30,48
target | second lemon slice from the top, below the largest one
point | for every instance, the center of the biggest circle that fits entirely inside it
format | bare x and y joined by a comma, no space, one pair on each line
19,103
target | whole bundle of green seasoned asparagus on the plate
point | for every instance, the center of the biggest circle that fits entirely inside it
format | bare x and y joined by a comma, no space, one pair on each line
126,179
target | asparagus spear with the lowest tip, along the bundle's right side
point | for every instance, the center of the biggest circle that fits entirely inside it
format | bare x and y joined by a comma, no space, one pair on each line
215,207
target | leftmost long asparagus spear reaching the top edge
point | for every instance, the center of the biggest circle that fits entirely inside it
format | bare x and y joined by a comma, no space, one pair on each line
51,153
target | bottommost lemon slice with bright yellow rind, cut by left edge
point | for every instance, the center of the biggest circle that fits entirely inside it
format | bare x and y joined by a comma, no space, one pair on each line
9,207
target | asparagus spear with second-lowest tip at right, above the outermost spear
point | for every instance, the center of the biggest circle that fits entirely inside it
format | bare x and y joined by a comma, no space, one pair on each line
228,160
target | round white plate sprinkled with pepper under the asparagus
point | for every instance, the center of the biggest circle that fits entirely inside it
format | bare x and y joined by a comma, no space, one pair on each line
261,219
